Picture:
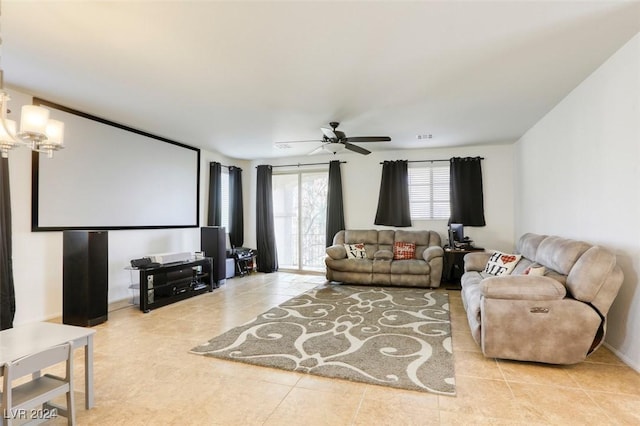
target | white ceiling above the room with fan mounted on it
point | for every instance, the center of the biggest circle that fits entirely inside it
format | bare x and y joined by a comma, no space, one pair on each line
235,77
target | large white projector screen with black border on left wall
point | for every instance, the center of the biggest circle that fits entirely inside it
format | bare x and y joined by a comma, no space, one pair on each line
110,176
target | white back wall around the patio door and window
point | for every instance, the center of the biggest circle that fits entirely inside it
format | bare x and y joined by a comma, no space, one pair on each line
361,185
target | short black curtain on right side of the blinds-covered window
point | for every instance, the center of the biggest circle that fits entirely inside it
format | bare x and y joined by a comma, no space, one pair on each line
465,187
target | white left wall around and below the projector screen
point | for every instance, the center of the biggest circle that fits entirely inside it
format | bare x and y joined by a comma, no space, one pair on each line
37,256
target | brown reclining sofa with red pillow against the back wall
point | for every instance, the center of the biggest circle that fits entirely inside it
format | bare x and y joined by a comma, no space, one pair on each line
386,257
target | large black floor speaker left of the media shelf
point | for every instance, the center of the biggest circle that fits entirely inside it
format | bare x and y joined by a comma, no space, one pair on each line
85,277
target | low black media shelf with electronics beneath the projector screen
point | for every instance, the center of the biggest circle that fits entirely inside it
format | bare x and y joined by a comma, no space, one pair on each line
170,283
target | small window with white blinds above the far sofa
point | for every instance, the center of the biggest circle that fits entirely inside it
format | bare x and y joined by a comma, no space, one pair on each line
429,191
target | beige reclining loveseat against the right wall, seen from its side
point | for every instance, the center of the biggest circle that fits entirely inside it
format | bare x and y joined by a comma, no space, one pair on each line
551,307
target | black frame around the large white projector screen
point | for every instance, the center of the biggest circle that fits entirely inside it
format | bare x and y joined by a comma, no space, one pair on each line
35,175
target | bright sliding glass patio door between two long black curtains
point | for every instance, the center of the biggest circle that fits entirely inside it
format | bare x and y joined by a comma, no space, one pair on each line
299,212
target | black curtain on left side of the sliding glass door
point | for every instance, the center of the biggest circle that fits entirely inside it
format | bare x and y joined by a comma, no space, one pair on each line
267,256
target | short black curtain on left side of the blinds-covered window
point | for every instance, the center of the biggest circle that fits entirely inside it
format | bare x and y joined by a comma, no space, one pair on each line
393,201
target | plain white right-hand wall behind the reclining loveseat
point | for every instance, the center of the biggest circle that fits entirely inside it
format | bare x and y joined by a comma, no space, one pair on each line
578,171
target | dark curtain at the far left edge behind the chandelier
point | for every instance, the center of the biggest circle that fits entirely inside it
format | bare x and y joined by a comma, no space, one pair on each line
7,290
